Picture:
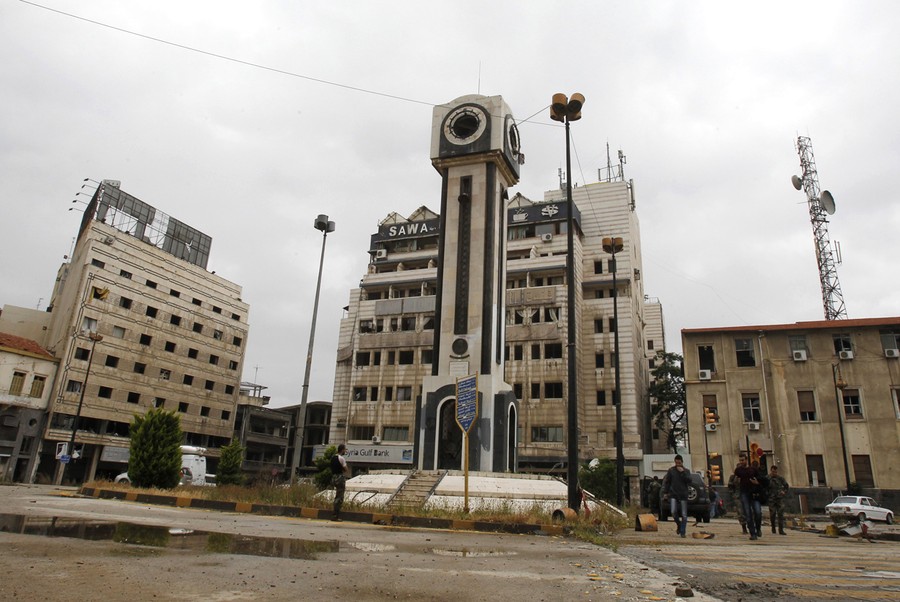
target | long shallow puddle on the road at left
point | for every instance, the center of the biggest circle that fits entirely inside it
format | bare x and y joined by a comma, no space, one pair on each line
164,537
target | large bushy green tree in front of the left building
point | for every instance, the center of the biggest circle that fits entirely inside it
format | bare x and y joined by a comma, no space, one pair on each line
155,458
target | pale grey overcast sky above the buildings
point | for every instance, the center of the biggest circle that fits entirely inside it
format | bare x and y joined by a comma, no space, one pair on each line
247,119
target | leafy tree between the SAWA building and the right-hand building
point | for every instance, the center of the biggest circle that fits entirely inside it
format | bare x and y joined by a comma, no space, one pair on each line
668,398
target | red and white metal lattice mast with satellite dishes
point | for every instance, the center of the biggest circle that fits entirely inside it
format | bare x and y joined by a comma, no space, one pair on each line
832,297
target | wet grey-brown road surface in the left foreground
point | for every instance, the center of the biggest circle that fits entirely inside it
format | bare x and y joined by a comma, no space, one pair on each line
338,561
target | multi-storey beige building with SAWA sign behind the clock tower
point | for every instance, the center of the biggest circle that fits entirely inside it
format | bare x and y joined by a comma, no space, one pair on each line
387,334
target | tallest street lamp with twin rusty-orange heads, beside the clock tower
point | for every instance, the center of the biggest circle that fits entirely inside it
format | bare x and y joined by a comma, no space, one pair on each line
567,110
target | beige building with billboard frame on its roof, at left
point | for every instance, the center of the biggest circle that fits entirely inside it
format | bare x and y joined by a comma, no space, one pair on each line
137,322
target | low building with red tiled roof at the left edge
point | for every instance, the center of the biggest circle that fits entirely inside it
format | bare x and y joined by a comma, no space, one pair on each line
27,373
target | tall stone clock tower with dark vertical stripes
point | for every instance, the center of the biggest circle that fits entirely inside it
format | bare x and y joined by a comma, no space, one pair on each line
475,149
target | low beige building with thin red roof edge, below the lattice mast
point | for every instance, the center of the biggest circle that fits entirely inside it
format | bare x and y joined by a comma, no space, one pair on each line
819,399
